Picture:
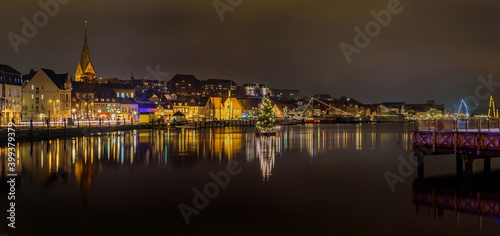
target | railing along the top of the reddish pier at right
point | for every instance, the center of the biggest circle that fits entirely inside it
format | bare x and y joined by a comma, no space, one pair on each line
459,125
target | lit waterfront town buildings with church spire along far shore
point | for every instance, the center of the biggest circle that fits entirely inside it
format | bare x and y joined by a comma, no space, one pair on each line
86,97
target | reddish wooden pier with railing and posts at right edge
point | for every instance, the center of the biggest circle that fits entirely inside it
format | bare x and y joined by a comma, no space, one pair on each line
469,140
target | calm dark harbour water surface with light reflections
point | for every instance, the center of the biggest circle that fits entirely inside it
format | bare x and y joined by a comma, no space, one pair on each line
309,180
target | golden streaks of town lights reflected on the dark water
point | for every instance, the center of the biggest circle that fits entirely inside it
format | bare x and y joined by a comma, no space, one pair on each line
83,156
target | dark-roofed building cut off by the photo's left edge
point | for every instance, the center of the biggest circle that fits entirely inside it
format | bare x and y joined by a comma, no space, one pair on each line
10,97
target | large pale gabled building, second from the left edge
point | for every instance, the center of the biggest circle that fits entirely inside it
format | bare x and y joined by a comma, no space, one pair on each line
47,94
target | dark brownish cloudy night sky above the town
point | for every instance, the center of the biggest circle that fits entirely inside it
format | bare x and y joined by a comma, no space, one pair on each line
431,50
